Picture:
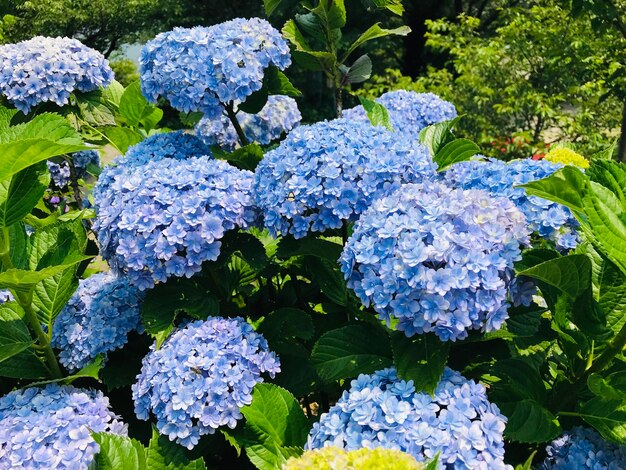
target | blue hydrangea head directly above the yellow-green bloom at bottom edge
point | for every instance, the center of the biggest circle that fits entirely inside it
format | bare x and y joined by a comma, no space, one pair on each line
380,410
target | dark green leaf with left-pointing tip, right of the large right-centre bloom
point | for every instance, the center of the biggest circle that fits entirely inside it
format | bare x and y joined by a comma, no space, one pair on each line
571,274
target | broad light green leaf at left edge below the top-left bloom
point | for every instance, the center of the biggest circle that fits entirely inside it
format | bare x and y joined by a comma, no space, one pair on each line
43,137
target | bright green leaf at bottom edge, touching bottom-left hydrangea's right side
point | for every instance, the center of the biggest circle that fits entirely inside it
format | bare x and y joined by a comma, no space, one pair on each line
119,453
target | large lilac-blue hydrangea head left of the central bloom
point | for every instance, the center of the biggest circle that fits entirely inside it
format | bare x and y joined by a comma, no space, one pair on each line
167,217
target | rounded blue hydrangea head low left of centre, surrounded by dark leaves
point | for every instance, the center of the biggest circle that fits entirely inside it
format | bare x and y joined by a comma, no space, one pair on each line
201,377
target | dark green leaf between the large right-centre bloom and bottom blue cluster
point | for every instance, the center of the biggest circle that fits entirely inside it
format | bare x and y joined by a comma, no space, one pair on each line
421,359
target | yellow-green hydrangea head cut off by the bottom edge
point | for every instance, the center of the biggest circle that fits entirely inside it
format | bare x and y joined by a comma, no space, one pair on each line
334,458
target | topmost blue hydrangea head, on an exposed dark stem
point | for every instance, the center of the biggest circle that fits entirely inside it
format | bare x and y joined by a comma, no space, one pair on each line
201,69
